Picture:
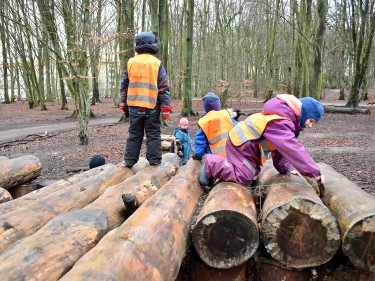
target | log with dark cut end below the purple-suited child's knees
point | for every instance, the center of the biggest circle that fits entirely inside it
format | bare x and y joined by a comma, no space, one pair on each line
226,234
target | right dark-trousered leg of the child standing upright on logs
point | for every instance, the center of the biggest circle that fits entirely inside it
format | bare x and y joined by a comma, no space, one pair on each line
152,128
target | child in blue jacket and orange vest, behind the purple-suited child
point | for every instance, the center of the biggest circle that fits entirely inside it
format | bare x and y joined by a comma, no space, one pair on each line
214,128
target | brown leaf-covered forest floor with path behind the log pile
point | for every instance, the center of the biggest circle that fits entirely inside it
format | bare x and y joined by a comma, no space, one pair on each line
344,141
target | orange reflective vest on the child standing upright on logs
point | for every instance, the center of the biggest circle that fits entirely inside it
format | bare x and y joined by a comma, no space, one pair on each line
143,71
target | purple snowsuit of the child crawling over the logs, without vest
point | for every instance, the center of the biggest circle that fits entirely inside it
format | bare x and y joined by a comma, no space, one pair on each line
243,163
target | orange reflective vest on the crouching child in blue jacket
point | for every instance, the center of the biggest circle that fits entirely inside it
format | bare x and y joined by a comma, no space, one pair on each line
216,126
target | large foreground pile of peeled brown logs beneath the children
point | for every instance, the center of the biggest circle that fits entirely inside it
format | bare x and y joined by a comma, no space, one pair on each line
80,229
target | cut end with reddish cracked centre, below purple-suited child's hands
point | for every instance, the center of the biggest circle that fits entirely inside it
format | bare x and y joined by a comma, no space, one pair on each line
301,234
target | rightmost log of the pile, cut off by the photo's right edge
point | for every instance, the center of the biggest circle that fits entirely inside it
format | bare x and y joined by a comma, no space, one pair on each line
354,210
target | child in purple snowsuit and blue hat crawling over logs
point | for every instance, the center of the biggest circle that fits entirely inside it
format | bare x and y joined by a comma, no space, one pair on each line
274,130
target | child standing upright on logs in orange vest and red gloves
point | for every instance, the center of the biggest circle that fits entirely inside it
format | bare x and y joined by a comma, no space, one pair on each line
144,93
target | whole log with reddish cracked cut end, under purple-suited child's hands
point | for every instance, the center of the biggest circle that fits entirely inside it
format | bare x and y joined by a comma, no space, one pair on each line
297,229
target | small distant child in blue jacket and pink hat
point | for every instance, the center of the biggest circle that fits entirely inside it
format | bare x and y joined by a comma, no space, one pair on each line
181,143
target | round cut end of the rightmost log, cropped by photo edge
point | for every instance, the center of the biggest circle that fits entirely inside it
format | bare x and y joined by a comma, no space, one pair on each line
359,244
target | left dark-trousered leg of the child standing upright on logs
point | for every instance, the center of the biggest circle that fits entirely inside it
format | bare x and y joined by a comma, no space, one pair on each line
134,141
